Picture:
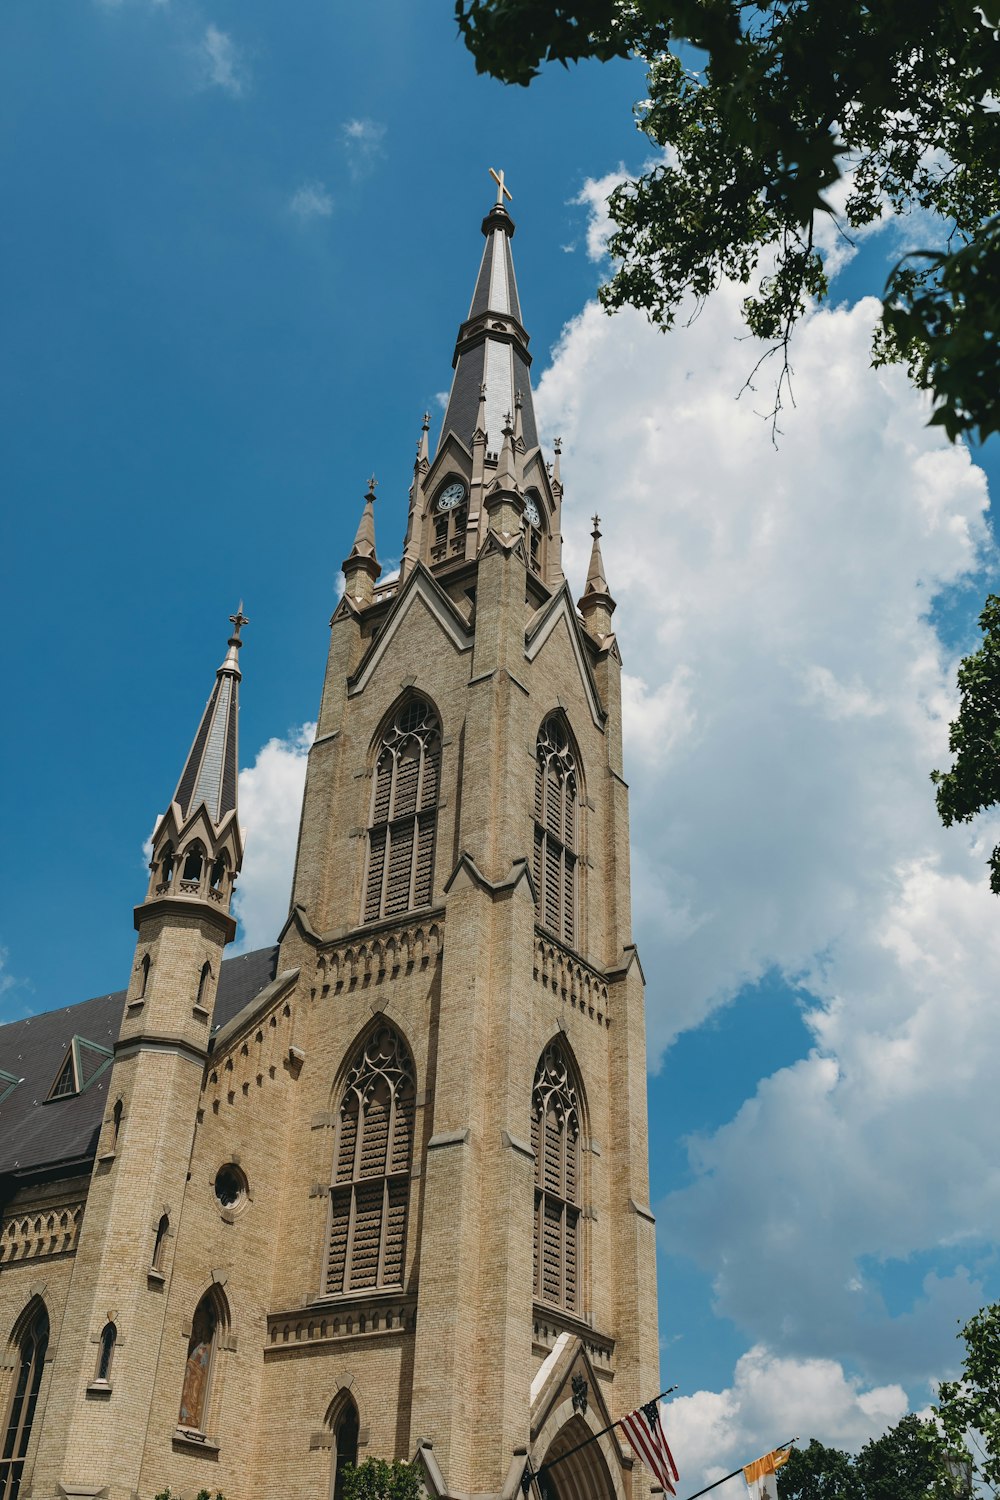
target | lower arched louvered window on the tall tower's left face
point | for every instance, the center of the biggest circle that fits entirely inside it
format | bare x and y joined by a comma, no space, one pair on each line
371,1177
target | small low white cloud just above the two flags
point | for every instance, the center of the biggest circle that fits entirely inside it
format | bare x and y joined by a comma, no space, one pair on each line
771,1402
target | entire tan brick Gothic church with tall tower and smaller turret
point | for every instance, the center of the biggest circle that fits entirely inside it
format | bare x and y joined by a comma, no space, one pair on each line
382,1190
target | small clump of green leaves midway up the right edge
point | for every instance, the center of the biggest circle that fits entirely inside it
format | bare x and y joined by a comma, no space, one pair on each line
974,784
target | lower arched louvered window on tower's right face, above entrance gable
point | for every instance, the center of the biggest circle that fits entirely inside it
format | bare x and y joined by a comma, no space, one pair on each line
555,1141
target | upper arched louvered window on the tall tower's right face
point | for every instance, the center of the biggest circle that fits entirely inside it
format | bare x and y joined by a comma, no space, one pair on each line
557,830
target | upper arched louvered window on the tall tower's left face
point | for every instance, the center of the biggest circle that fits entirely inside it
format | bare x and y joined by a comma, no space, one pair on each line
403,829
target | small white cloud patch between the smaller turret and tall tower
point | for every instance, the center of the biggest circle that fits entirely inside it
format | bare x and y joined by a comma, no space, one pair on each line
271,802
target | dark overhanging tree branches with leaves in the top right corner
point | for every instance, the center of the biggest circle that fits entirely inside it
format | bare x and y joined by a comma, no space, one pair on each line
897,97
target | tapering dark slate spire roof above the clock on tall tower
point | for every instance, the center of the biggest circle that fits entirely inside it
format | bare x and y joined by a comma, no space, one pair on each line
493,347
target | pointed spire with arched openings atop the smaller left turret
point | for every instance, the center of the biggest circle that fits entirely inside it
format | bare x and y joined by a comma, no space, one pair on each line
197,844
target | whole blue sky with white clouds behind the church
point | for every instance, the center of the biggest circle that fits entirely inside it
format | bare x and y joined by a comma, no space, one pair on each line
238,242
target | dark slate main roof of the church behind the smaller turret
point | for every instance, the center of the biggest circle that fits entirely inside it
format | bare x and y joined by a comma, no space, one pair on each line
37,1136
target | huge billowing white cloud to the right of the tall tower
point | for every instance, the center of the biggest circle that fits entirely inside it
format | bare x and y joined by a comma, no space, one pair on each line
785,700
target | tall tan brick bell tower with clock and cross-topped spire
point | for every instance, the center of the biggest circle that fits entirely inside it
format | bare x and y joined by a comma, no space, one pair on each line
475,1091
